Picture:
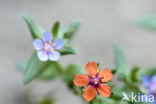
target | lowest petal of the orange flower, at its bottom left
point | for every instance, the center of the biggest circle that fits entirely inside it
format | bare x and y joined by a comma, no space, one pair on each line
89,93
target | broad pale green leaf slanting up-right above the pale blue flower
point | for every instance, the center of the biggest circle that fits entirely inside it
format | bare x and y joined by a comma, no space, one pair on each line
68,31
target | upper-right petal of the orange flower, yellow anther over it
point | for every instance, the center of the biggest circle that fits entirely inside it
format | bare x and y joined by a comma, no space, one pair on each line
106,75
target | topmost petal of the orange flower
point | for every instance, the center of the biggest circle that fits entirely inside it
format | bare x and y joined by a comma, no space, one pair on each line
91,68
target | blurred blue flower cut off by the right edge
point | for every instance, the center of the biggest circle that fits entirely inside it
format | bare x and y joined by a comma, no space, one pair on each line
150,84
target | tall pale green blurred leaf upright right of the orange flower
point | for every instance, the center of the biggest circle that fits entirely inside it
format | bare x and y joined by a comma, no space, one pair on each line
121,64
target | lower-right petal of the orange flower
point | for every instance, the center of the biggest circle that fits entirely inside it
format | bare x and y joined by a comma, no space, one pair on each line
104,90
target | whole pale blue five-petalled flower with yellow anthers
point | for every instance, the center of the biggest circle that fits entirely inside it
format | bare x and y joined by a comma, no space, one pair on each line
47,49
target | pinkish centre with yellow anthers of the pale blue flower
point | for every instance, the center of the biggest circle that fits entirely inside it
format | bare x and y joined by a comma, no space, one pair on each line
48,47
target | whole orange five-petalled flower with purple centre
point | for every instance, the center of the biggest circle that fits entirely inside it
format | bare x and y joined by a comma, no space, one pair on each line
95,81
